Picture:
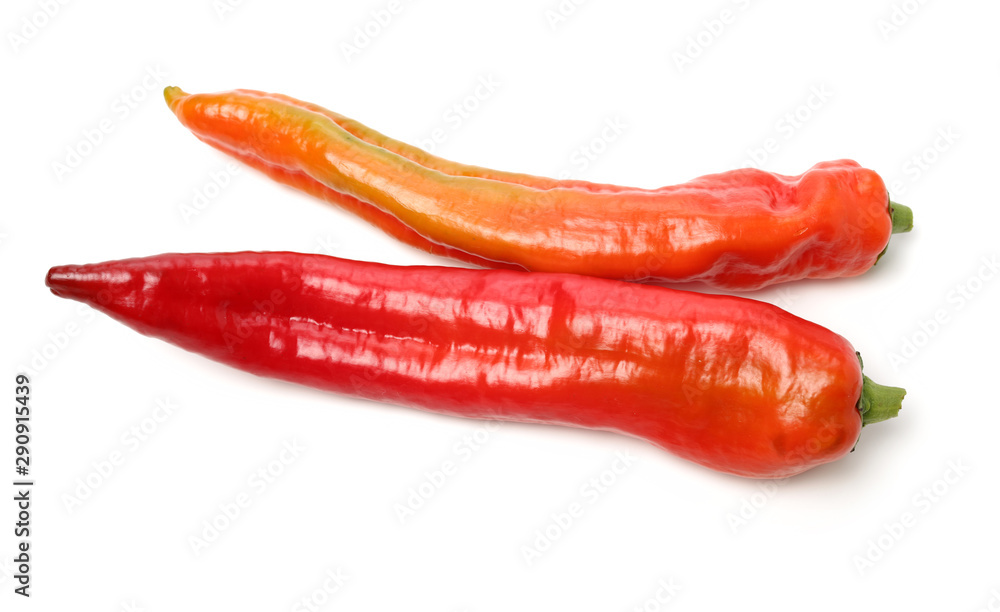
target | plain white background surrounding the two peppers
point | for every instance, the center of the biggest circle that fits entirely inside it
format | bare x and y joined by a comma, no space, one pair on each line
890,91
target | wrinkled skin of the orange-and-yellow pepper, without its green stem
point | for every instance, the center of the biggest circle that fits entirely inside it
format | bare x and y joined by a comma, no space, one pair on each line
738,230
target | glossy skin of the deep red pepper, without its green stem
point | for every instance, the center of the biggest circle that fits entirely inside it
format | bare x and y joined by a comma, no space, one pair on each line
734,384
